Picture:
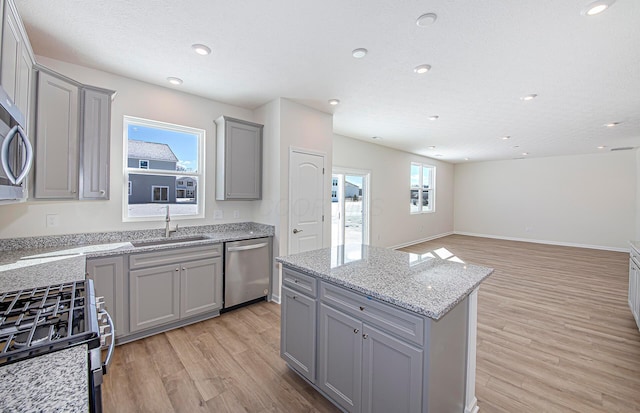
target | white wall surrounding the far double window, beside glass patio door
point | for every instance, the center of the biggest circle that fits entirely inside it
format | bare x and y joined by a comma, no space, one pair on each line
391,222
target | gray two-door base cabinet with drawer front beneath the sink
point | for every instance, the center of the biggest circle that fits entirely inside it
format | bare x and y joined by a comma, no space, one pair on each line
171,285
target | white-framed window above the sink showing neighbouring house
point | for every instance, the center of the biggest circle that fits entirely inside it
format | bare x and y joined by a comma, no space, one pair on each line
161,160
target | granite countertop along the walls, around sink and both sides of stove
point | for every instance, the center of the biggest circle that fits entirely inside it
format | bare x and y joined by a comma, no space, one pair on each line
58,381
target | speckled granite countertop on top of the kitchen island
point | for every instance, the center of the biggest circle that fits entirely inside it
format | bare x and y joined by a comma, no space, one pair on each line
424,284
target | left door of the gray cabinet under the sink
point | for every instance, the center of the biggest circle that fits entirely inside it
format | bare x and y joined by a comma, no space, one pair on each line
154,296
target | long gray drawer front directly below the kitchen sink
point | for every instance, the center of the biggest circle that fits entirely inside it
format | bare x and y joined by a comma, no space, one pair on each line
174,256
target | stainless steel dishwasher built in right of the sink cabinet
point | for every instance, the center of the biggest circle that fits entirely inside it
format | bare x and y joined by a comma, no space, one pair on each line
247,271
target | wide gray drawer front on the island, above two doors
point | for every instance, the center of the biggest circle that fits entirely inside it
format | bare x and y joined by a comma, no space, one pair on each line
401,323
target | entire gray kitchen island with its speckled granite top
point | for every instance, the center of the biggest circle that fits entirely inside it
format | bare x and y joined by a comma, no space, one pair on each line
376,330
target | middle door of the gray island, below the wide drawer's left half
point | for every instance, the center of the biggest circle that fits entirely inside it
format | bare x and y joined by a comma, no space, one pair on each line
340,357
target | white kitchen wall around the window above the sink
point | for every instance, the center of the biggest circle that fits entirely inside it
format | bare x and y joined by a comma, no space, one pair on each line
143,100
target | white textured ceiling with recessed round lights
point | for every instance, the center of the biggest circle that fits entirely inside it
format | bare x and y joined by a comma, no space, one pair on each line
485,55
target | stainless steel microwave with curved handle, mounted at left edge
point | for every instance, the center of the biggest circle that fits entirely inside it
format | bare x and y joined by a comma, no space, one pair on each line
16,153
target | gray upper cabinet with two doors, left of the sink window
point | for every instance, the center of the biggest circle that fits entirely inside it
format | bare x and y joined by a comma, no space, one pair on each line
72,139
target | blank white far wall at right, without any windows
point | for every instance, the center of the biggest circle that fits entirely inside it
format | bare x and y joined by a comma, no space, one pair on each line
582,200
